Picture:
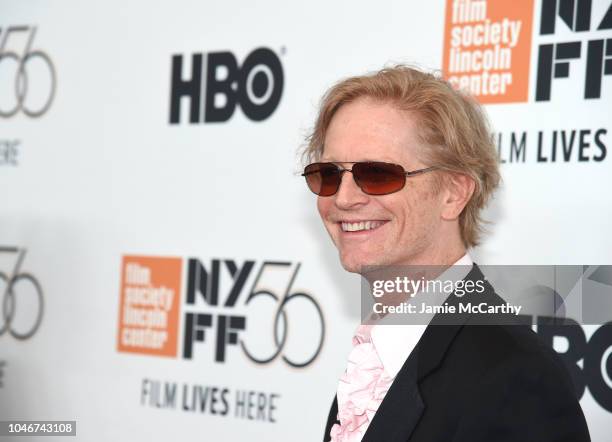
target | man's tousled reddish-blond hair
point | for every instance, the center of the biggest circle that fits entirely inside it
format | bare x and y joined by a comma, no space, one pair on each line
451,124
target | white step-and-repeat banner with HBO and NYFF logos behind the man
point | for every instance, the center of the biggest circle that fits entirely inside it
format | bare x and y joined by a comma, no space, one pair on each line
163,271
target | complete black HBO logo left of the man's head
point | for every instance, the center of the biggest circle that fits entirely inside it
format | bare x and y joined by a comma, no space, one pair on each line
256,86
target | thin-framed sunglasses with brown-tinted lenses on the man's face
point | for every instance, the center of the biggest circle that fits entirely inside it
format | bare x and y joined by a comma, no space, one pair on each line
372,177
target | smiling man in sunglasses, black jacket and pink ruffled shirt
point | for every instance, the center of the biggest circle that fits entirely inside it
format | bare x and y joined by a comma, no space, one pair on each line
403,164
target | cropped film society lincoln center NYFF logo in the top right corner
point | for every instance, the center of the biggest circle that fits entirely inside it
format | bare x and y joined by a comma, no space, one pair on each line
488,43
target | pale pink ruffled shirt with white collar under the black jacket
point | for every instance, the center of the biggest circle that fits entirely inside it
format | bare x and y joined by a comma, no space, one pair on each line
379,352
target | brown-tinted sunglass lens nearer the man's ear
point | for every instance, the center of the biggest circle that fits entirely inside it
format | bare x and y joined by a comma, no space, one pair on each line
379,178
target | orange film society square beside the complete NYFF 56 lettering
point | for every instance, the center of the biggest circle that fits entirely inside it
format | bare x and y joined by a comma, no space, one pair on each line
149,305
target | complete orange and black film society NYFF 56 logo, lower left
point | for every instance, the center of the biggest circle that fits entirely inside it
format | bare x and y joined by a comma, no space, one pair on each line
225,307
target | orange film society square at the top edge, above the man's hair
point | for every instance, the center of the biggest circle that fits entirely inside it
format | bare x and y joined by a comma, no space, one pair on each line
487,47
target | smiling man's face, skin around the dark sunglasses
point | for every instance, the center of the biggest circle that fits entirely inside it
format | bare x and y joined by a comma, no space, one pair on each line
404,227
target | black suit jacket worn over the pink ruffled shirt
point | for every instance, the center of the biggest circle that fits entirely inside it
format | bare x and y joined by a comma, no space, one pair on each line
470,382
